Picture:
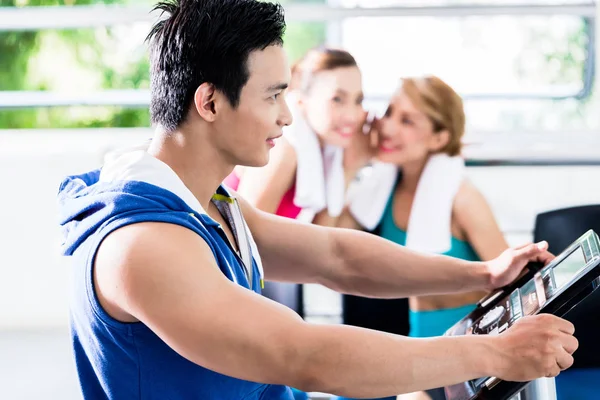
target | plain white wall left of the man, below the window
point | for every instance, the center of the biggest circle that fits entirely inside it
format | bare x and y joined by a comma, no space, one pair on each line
34,278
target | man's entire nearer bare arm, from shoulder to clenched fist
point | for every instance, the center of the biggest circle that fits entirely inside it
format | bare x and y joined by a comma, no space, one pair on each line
165,276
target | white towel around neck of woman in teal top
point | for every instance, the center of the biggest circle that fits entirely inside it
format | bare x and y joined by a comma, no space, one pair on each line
429,224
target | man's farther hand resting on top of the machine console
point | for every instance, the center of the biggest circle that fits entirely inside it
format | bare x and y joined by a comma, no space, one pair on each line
508,266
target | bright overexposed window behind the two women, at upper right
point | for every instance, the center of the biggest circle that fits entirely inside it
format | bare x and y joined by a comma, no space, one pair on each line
515,71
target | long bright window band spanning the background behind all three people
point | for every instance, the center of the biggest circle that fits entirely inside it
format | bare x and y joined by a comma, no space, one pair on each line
529,71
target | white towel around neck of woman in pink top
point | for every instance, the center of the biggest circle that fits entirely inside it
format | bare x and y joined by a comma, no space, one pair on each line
320,182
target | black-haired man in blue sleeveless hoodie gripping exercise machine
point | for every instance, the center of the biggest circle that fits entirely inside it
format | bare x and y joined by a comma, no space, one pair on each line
167,272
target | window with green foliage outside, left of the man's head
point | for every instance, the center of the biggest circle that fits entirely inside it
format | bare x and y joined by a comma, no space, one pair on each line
64,68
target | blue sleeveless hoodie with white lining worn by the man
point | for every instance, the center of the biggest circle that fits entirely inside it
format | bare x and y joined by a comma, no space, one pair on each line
118,360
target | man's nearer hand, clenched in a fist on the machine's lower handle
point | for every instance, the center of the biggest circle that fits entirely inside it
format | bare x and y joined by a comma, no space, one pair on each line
536,346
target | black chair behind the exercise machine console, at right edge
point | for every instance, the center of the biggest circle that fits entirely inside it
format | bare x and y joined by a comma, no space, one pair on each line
561,228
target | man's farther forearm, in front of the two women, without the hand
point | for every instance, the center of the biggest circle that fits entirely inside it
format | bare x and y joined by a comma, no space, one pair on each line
374,267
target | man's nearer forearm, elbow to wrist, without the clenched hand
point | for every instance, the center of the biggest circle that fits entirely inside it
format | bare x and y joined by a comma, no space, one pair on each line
360,363
